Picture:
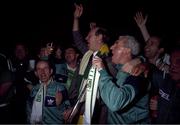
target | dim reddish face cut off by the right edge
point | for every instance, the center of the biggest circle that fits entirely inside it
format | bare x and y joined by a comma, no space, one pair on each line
175,65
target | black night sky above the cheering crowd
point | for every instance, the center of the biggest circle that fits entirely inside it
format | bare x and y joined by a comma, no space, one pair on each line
32,22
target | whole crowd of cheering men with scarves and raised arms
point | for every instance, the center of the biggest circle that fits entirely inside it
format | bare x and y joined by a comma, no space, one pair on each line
90,82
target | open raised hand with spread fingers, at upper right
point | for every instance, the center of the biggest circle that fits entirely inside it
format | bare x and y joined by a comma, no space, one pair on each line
140,20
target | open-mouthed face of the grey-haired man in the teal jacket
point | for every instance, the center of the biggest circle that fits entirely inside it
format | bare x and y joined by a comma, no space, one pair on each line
120,52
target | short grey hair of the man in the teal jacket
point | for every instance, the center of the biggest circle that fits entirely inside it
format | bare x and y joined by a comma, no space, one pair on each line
131,43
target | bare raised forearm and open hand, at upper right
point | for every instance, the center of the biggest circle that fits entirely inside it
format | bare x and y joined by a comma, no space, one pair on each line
141,23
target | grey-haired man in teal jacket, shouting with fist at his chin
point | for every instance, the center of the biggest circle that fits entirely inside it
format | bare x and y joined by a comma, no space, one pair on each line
127,98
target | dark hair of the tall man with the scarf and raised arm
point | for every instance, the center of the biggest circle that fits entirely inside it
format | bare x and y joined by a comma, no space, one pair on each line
104,33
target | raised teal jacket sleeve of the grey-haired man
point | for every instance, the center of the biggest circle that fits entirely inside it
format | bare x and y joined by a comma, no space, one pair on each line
115,97
